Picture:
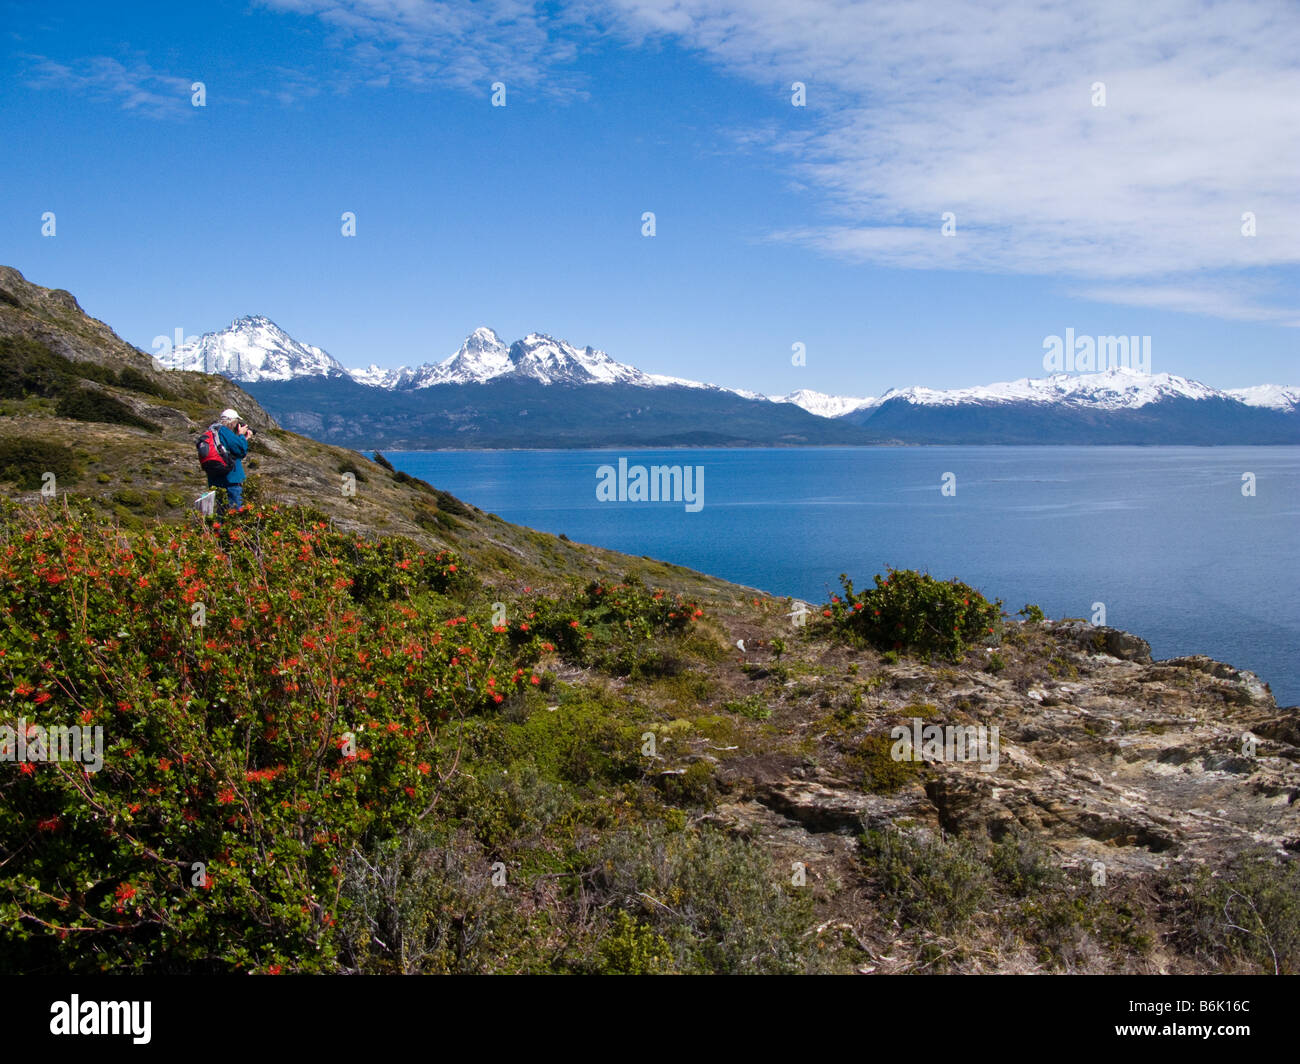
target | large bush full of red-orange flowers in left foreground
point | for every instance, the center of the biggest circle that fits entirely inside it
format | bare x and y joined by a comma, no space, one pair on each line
272,694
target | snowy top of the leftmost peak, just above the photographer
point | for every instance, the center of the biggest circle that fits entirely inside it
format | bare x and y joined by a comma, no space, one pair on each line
253,349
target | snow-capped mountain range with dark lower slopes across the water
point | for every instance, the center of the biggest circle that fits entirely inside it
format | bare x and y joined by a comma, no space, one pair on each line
541,392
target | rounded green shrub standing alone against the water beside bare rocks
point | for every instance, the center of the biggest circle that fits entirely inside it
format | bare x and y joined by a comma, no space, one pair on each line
909,611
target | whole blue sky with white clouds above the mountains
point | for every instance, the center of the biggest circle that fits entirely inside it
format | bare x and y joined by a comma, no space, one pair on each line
1108,168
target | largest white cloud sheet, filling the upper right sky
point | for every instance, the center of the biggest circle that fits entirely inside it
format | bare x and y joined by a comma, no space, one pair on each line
987,111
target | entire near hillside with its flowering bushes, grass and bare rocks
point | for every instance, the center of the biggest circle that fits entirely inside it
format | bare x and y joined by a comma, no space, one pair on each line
391,733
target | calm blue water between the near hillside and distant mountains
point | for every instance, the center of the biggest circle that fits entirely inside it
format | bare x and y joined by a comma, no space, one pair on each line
1163,537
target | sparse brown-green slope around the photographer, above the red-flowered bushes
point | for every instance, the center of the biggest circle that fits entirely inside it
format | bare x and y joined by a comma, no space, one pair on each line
146,472
